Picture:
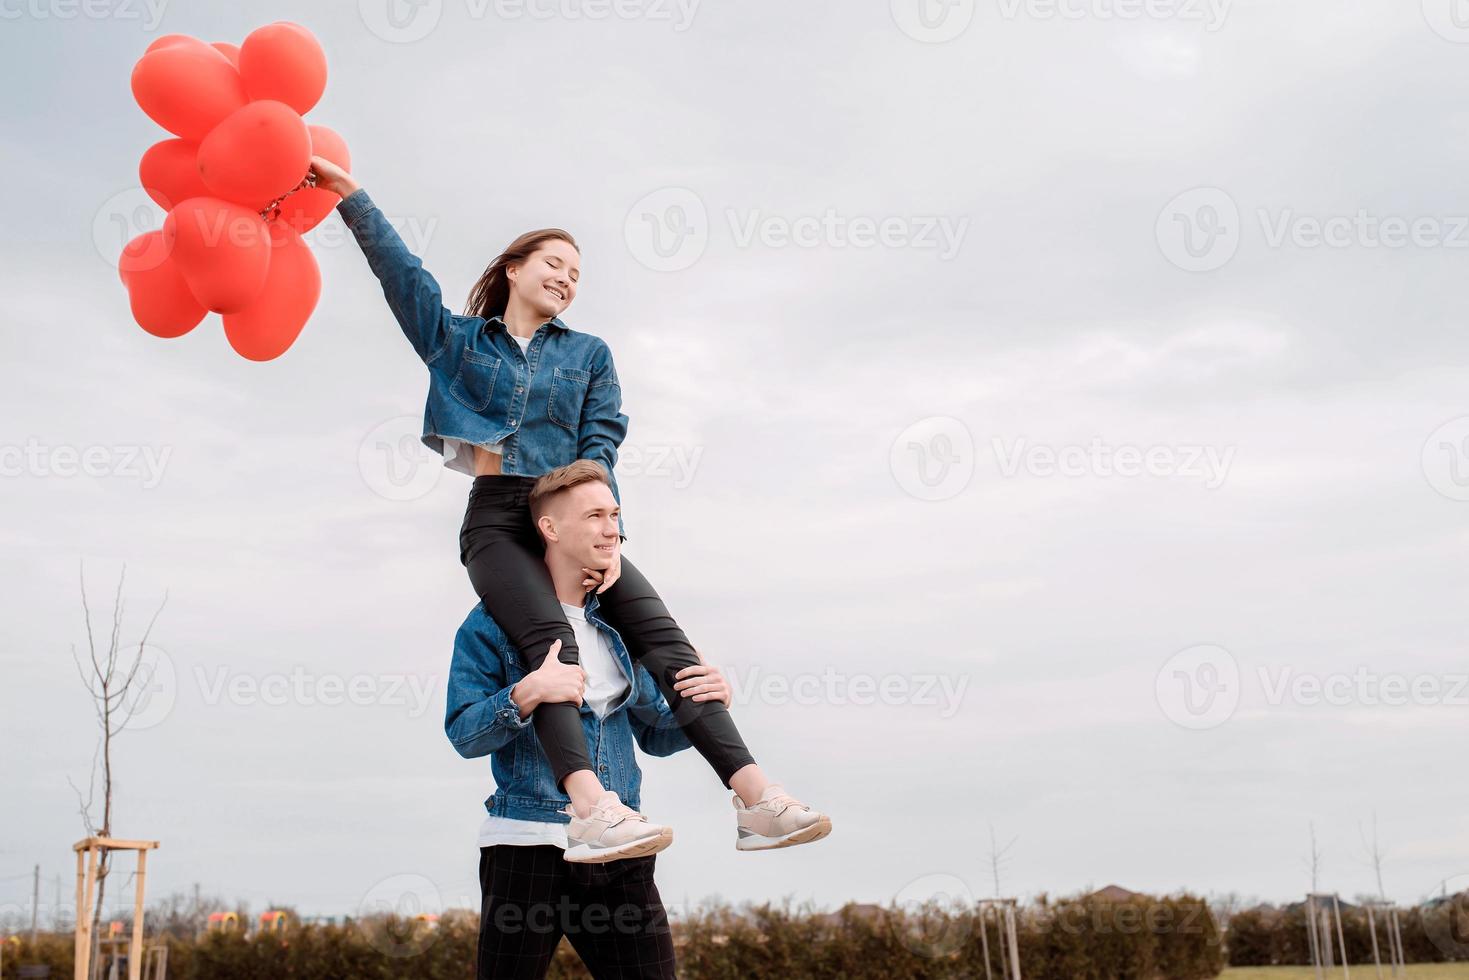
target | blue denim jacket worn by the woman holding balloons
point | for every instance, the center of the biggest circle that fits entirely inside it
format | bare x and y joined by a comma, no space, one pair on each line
555,403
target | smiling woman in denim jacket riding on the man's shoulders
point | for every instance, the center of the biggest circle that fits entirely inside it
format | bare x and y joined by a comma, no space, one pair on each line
513,394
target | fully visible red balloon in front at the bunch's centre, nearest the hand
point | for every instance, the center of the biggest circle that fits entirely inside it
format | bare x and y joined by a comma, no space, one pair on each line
256,155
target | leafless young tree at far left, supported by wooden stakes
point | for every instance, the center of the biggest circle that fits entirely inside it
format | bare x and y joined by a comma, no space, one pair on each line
109,677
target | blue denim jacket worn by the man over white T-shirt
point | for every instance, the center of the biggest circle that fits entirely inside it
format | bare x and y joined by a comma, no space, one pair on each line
481,719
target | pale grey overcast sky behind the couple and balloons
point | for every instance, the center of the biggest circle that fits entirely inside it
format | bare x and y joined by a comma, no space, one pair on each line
1050,415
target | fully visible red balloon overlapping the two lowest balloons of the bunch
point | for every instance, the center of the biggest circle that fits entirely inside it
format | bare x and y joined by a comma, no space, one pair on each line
223,249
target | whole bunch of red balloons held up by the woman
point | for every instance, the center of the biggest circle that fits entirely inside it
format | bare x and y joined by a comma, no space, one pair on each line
233,184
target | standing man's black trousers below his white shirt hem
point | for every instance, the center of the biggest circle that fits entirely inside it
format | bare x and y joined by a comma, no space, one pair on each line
533,897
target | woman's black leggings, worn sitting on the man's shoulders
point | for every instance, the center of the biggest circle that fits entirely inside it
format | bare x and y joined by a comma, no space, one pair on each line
506,561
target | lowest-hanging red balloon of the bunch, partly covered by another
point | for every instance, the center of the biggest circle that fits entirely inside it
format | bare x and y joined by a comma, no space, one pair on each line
268,327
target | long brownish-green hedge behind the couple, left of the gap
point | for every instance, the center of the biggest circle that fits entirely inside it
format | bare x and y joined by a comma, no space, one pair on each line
1067,940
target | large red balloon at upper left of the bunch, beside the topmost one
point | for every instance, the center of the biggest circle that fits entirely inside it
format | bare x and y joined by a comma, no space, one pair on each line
187,87
